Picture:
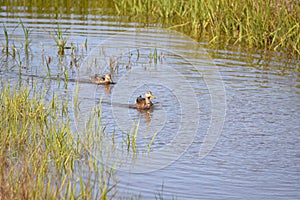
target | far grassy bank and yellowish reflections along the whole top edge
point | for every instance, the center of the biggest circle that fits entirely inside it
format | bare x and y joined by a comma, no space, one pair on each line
263,24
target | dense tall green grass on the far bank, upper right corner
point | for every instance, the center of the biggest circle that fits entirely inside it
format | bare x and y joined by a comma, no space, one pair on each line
268,24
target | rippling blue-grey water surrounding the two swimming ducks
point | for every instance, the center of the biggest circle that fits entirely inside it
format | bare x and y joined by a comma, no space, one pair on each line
227,120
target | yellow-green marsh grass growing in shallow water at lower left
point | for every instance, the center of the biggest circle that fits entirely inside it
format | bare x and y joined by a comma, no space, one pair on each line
40,156
